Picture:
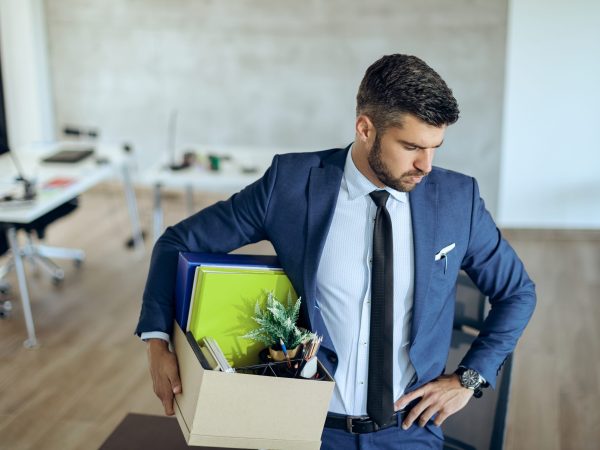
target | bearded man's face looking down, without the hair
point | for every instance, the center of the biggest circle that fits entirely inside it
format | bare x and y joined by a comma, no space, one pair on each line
402,156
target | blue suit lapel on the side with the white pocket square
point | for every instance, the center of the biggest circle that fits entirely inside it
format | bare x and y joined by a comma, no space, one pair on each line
423,207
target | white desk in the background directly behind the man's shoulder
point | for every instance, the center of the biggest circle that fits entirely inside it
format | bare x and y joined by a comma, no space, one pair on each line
229,179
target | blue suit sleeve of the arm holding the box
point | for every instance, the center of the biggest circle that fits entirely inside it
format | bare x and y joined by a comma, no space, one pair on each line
220,228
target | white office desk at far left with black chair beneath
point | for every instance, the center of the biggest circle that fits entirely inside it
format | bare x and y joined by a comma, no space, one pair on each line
82,176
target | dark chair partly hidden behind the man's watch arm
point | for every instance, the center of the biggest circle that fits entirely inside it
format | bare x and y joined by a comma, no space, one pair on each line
481,425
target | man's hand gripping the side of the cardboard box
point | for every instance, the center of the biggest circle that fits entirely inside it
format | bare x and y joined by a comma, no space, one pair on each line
164,371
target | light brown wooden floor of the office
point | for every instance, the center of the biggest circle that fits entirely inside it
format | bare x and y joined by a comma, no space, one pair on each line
90,370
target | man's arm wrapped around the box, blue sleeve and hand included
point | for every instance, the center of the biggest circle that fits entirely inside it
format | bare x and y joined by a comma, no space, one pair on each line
220,228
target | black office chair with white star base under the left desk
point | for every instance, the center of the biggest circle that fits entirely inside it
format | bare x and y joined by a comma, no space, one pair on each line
37,254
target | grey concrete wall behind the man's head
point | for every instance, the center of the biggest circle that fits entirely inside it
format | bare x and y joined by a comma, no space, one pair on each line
269,72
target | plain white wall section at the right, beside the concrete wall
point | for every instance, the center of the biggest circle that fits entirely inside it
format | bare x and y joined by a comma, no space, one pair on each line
550,171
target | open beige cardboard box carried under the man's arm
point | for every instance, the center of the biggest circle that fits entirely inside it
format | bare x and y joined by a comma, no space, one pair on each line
248,411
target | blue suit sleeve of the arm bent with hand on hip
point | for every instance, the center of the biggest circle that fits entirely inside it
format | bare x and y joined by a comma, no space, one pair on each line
498,272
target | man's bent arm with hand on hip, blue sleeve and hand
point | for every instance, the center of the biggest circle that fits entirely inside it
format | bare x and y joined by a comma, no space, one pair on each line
499,273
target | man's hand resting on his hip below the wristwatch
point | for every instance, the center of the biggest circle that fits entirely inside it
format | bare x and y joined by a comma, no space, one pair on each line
443,396
